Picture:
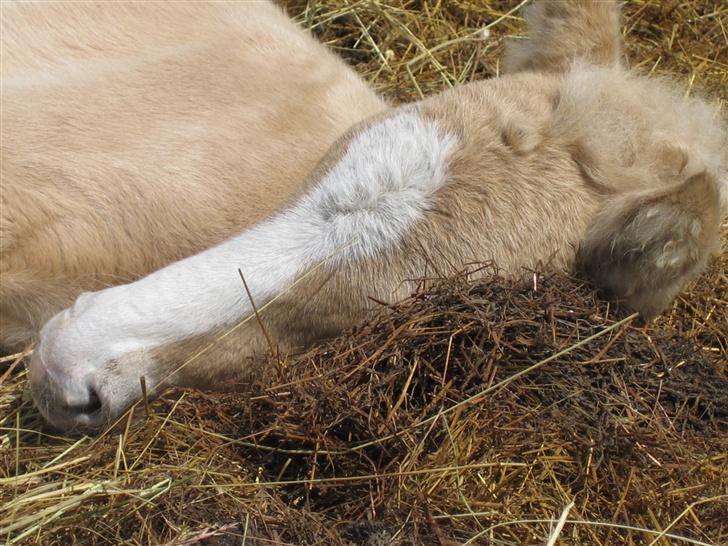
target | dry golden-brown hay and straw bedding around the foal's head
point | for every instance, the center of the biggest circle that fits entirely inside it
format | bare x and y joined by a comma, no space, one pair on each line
471,413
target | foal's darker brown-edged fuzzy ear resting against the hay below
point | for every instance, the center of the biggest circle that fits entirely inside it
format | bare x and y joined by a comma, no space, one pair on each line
643,247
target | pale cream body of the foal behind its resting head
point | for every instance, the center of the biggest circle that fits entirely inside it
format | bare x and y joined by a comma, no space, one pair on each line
136,134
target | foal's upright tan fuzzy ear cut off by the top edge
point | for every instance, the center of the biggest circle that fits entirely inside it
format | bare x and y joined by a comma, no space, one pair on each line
563,30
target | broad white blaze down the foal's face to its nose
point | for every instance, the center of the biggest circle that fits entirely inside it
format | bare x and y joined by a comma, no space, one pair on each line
367,202
